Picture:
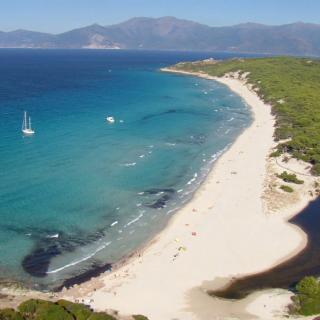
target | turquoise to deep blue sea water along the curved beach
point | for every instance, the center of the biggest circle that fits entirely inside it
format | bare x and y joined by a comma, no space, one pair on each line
81,193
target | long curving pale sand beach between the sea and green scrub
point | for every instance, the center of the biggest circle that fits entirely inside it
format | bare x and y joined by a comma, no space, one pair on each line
231,227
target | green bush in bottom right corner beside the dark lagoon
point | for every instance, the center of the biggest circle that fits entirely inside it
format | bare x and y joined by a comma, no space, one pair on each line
307,299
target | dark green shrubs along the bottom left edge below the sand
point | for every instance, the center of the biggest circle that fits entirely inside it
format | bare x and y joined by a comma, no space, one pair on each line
36,309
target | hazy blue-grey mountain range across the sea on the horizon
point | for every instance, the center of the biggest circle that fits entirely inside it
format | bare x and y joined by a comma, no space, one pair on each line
169,33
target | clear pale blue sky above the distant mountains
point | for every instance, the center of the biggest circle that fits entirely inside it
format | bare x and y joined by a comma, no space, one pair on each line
57,16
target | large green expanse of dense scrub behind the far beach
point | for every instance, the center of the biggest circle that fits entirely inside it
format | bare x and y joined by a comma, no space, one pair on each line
292,86
